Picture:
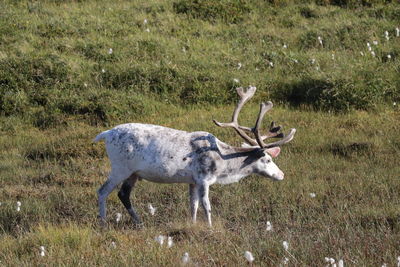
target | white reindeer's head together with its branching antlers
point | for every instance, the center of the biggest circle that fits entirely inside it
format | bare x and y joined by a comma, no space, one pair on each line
261,154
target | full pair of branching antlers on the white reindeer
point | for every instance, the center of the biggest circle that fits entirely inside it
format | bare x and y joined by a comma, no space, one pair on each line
274,131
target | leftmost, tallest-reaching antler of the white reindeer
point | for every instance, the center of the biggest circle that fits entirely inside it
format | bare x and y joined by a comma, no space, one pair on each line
244,97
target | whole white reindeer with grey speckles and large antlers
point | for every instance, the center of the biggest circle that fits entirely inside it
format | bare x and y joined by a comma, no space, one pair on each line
164,155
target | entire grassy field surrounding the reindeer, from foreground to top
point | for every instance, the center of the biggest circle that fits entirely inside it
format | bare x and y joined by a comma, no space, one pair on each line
176,63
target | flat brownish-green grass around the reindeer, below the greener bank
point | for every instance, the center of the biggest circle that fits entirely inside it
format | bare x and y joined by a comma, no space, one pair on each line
354,216
